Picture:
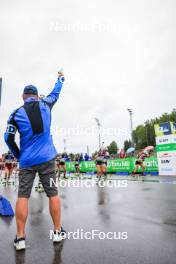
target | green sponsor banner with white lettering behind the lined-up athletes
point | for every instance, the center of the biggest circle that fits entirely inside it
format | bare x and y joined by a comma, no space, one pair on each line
116,165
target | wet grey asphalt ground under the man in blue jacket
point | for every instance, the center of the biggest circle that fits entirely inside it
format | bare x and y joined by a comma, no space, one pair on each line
144,211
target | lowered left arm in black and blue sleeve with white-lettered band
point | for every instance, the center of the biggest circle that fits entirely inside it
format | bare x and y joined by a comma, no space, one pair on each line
9,136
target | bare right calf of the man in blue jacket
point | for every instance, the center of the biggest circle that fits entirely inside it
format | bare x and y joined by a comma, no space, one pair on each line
55,211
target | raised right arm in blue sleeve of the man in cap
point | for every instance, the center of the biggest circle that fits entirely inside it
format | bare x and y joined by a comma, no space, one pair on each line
52,98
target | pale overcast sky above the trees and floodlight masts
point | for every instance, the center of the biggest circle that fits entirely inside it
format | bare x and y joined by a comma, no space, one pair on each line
115,54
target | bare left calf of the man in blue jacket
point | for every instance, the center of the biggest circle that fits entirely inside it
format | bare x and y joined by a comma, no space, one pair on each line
21,215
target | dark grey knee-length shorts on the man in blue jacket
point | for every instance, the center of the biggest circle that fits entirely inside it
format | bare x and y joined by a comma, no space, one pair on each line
46,173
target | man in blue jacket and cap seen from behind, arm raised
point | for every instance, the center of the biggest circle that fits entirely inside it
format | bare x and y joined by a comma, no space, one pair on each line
36,155
